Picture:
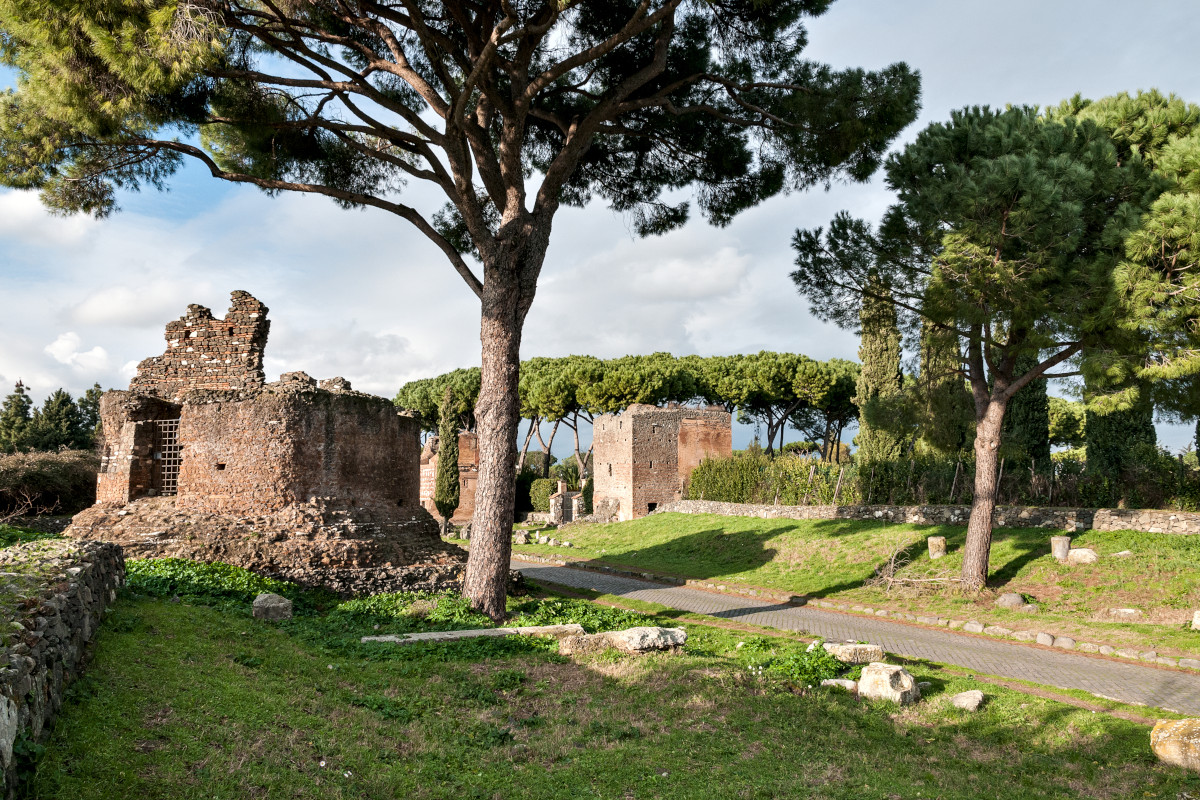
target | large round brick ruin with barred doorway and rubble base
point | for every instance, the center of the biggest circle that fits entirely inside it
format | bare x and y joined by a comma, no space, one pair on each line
313,483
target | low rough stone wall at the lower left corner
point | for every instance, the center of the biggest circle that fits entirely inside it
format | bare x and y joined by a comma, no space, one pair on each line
53,594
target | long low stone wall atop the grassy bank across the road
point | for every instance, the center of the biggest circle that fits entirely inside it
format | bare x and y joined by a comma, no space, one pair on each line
1070,520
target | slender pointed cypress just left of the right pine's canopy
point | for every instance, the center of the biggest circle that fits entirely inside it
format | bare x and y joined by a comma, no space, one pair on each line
881,382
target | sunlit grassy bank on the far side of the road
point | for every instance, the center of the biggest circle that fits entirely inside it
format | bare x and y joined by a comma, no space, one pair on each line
832,558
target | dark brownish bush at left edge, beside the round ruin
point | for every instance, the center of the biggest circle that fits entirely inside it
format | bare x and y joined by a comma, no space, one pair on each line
61,483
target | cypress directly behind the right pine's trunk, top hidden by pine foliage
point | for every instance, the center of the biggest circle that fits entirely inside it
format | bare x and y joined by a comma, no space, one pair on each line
947,418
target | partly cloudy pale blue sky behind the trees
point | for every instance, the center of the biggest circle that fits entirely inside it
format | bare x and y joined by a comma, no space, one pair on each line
363,296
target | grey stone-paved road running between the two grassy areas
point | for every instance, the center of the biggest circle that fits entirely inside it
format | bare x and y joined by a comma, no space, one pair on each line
1167,689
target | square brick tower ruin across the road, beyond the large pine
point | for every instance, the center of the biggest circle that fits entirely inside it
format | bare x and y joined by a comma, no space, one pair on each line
644,458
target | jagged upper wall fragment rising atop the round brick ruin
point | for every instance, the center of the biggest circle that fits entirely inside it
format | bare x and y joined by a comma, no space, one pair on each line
208,353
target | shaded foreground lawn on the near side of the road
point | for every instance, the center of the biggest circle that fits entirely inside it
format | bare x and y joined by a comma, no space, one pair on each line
194,702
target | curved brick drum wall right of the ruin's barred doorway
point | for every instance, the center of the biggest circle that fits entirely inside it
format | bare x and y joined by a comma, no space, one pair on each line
293,443
